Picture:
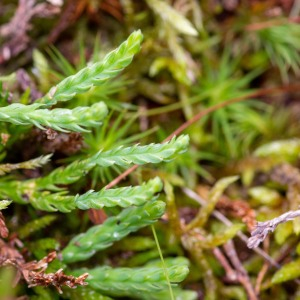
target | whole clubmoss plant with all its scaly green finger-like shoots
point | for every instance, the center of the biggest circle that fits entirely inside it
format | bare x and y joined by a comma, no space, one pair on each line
51,192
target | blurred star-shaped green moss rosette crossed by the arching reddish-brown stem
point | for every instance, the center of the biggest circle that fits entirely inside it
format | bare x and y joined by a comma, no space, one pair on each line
235,127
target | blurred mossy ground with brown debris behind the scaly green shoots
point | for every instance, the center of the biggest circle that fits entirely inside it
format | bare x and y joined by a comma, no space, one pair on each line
195,55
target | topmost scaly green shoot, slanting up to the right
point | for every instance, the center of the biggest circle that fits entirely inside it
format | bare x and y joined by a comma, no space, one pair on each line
97,73
